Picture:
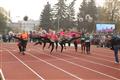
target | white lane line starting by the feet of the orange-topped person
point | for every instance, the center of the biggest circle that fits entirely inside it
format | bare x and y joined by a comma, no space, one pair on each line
55,67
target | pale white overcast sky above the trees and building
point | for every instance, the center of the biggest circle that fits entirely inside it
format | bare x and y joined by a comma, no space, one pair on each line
31,8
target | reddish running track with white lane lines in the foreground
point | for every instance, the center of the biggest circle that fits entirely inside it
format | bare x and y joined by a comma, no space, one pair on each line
38,64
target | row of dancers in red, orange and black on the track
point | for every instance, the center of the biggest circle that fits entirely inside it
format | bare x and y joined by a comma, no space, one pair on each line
55,39
